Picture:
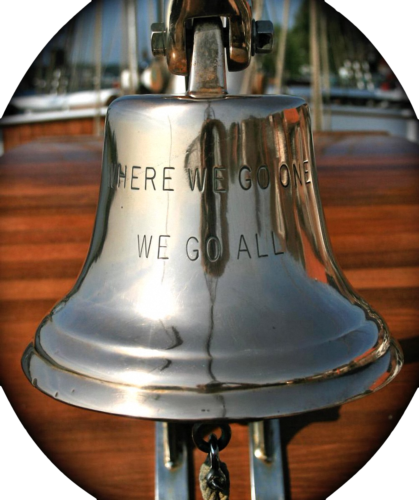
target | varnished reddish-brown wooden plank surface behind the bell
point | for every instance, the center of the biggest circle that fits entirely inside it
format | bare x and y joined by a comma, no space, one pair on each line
48,192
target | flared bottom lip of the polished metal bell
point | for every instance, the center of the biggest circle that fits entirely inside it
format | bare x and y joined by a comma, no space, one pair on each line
215,401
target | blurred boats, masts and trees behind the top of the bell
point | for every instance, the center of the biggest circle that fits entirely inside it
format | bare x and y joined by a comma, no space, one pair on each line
104,52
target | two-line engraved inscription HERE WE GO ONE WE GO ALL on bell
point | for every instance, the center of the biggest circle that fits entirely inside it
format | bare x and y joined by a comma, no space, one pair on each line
283,177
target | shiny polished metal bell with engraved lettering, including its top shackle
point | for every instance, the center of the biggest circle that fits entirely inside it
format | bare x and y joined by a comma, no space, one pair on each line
210,291
